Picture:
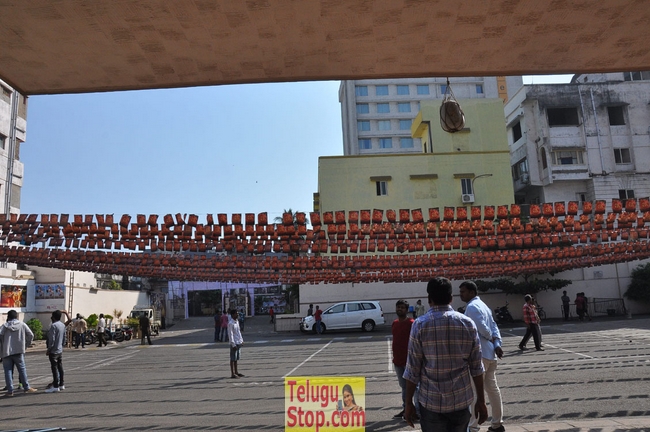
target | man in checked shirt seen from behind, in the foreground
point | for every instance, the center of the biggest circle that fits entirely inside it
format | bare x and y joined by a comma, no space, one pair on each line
444,356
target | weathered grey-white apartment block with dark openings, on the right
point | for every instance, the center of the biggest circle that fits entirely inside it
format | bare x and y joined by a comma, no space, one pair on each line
582,141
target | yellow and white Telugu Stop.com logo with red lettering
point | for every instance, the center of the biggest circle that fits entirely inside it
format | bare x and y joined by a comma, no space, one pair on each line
324,404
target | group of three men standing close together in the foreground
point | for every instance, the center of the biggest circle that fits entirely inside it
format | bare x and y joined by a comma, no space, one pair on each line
463,349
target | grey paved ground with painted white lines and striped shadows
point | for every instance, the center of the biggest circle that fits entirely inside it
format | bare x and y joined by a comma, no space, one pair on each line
590,376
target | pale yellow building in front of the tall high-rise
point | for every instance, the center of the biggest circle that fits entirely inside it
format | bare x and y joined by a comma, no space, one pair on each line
471,167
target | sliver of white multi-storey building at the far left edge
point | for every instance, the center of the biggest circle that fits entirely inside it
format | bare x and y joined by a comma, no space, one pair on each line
15,183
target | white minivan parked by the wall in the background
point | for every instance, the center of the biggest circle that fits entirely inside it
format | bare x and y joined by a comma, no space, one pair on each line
362,314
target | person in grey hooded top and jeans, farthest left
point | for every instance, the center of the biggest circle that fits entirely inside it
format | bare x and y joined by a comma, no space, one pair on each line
15,337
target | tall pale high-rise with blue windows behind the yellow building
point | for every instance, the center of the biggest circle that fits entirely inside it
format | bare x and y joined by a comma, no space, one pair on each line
377,114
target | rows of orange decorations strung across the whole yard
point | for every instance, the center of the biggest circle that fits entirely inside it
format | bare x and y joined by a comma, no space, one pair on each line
355,246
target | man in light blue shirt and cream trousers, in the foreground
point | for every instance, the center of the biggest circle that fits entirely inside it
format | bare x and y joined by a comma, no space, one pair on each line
490,338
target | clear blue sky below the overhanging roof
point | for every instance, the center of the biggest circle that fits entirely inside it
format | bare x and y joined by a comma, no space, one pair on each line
228,149
